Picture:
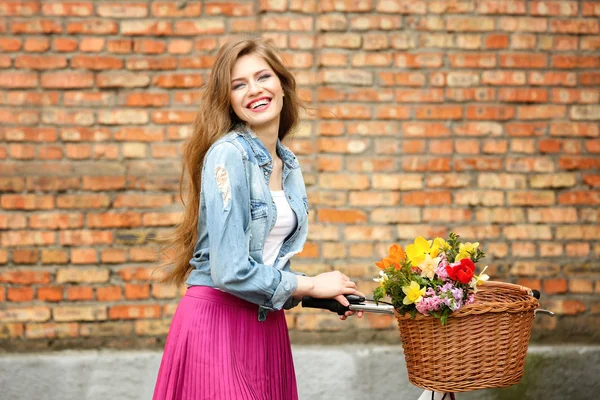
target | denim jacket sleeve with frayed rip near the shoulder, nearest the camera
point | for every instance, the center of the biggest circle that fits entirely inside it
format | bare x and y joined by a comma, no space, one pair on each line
227,197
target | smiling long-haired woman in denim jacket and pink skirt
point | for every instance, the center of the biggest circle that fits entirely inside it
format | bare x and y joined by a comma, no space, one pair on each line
246,216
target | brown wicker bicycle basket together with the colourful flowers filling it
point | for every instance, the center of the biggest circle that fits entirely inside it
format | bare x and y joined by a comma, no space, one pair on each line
459,333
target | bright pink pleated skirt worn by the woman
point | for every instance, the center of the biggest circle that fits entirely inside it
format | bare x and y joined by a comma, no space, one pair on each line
218,350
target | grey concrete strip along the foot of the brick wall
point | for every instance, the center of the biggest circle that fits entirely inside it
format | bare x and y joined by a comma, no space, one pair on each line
323,372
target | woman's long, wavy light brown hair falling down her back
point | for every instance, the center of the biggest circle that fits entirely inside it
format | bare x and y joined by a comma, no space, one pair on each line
215,118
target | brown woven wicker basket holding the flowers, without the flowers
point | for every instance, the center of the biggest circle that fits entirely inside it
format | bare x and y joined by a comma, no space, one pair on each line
483,345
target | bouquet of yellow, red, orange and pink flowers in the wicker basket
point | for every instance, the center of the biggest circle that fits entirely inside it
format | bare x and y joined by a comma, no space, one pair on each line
432,277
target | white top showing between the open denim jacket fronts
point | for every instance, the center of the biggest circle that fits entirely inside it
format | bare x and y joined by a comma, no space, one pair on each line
284,225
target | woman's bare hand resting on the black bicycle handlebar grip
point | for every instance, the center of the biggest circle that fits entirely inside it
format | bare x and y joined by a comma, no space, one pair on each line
329,285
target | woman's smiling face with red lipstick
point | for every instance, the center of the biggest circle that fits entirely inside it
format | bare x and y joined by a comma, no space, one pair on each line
256,92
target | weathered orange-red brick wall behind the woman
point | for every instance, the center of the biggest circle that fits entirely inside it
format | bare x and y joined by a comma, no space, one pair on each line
426,116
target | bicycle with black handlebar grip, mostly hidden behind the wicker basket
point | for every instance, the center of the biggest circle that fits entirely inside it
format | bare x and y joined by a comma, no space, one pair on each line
358,303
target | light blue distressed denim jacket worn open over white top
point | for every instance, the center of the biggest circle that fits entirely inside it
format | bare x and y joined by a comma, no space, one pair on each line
236,215
